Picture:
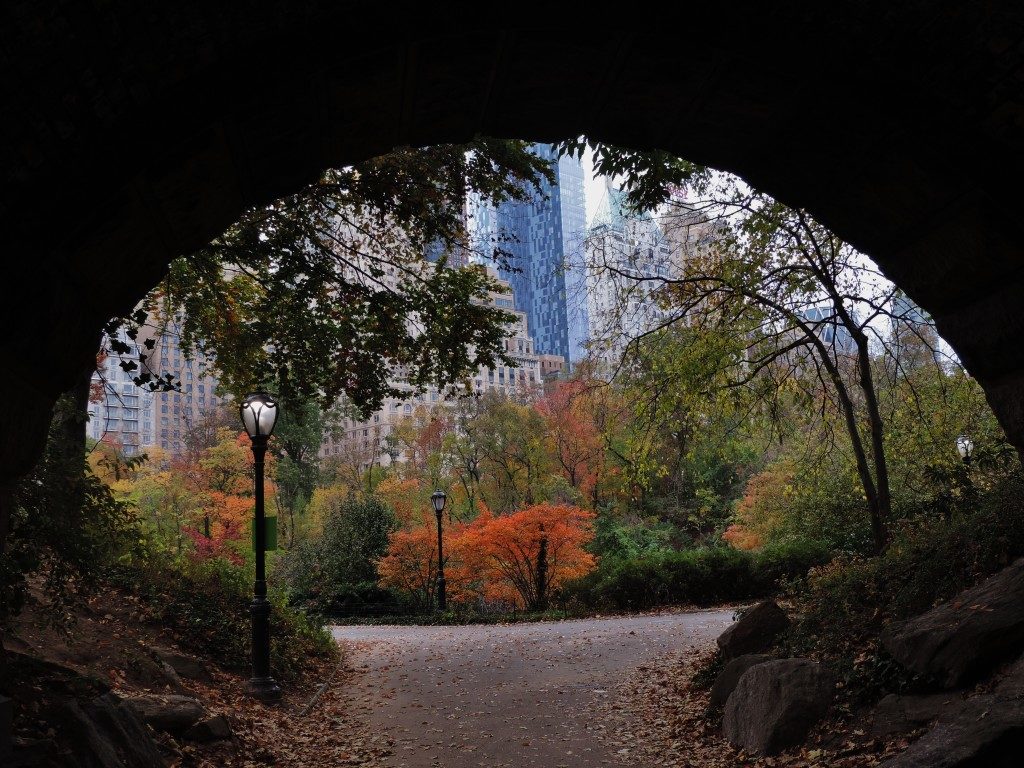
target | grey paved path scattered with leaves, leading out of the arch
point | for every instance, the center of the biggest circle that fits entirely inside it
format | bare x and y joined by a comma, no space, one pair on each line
526,695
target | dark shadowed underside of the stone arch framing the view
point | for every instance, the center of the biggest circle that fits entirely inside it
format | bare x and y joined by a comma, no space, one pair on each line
134,135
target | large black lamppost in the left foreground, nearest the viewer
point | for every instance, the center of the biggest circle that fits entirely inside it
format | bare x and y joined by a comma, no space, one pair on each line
260,414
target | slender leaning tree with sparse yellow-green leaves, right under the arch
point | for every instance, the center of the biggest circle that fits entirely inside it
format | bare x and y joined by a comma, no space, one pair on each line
805,306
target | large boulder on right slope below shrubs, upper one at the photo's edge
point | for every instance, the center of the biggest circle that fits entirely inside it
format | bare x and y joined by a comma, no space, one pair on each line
958,642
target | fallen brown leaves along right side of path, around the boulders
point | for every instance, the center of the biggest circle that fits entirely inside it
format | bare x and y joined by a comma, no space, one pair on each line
659,719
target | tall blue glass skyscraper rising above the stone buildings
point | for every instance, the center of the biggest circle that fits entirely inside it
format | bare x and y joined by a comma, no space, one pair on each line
547,232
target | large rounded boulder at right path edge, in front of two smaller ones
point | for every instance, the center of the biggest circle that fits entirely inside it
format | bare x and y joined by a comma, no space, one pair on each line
776,704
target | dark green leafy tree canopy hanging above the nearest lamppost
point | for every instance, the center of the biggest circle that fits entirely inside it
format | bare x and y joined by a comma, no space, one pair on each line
327,292
